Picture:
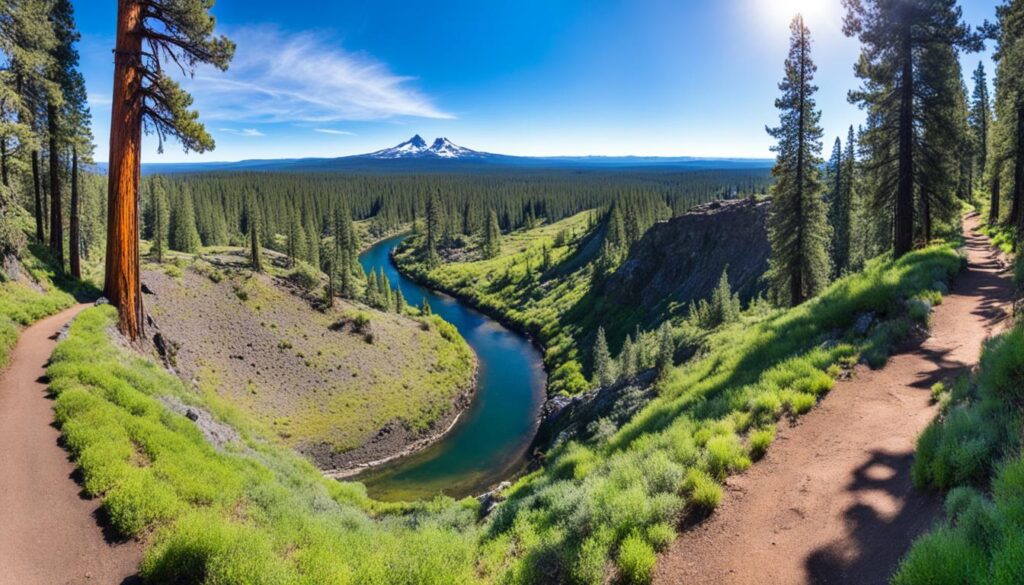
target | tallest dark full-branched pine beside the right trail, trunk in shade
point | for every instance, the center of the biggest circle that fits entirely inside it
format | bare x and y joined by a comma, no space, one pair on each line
904,43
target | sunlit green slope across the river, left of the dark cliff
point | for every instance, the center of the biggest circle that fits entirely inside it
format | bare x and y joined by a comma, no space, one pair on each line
554,312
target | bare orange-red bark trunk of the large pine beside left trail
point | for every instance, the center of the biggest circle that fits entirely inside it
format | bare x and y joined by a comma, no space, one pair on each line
122,287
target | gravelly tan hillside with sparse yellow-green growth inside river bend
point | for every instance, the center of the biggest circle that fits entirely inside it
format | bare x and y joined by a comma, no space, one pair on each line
345,387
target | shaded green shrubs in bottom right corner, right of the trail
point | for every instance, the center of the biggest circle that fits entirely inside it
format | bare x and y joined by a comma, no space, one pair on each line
975,451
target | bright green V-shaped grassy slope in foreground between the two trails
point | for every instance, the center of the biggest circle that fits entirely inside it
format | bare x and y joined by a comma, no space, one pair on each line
258,514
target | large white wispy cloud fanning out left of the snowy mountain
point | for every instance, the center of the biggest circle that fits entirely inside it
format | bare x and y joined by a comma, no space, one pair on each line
306,78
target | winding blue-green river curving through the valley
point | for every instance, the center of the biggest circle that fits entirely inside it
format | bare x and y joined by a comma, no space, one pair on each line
490,441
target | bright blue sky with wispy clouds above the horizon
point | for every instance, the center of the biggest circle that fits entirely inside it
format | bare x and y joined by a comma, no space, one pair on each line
526,77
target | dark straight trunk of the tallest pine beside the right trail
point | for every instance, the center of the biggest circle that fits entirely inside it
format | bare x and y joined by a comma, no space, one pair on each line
904,236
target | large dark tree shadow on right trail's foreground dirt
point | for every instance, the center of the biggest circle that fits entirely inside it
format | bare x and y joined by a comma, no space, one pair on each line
888,515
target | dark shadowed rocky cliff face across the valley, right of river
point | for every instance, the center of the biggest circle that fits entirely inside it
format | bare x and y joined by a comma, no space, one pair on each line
680,261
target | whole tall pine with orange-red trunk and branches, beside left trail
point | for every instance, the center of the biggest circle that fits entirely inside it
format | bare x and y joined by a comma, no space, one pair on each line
149,34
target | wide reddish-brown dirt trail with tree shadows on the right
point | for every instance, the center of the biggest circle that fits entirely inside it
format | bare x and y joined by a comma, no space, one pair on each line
833,502
